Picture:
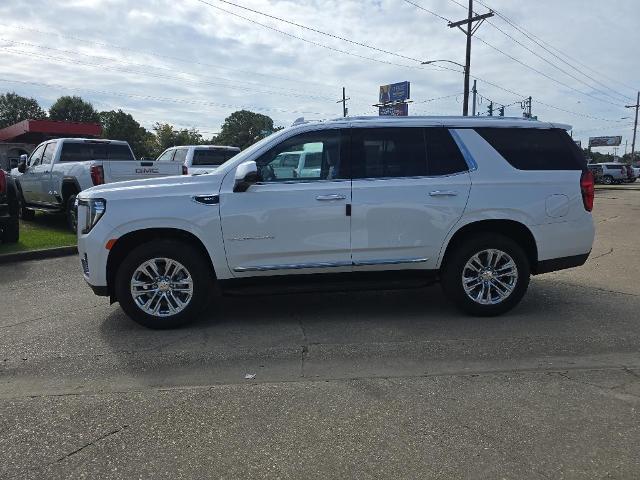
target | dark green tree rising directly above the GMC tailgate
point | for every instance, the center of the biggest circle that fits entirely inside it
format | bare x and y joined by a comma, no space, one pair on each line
118,125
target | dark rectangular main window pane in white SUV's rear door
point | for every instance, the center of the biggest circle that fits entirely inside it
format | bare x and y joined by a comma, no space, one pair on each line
388,152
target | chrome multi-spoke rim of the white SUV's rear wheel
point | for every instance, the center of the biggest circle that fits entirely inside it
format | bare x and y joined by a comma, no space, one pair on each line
489,277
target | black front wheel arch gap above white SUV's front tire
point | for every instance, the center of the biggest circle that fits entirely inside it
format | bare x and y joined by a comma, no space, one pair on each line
135,238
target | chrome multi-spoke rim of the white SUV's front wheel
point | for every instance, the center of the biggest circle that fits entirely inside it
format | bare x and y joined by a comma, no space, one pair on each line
161,287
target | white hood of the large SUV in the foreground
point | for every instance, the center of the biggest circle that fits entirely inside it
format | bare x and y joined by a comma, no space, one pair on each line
156,187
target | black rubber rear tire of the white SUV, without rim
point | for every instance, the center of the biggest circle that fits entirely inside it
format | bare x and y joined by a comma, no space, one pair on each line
462,252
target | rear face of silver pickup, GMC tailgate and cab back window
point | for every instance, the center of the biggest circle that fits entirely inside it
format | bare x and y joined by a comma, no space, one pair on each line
120,165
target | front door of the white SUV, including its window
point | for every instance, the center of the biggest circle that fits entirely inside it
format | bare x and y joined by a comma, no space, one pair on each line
291,221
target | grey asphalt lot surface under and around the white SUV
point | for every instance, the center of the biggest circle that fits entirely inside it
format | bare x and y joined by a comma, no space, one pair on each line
347,385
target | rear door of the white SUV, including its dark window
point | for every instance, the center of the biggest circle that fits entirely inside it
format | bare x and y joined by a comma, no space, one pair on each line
410,186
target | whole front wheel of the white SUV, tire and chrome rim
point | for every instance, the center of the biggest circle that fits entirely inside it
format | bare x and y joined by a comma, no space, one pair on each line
163,284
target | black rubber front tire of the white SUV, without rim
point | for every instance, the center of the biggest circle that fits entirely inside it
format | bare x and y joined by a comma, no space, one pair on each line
182,252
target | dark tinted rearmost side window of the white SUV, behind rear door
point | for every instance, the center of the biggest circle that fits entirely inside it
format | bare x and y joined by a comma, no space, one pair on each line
535,148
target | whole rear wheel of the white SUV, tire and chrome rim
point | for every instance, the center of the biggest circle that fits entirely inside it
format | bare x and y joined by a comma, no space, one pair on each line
487,275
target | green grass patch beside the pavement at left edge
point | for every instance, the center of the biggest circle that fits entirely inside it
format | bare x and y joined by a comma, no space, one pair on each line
44,231
